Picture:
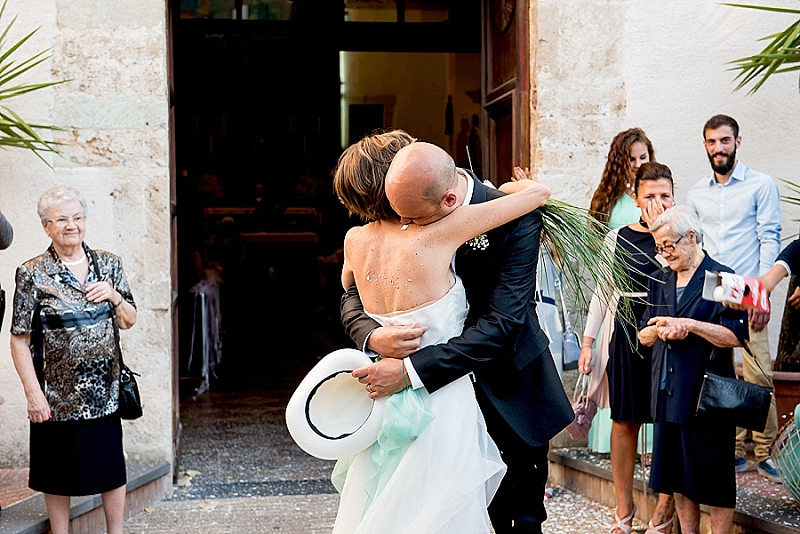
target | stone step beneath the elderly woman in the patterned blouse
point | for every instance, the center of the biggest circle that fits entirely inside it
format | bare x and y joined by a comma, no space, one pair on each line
147,484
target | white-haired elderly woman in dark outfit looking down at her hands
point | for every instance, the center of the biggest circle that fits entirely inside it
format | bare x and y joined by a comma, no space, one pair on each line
691,454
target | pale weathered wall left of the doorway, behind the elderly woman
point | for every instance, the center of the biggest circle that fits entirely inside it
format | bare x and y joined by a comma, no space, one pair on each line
114,115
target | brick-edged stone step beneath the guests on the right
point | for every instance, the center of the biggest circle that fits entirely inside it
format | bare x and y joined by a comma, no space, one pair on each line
762,507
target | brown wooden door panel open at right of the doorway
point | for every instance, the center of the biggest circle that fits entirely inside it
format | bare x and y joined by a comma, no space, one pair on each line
506,87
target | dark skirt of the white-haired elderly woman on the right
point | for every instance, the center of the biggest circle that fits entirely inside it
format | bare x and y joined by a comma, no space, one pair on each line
694,459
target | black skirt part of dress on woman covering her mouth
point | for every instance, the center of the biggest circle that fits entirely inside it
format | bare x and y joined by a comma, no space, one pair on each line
628,371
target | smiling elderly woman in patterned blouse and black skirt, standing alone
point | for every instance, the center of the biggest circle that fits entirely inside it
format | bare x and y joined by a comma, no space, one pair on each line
63,345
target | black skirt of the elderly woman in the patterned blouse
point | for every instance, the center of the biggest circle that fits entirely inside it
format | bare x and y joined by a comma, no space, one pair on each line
75,458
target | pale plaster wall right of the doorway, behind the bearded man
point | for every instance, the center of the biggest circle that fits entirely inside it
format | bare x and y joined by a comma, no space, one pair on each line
602,66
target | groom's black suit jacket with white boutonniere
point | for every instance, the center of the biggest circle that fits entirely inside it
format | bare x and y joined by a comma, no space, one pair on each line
502,342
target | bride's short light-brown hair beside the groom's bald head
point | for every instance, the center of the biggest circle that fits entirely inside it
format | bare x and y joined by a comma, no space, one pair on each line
360,174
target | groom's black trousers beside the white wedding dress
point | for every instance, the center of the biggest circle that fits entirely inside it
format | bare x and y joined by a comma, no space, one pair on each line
518,505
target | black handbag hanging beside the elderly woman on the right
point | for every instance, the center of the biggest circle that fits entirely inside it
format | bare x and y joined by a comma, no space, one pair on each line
735,401
